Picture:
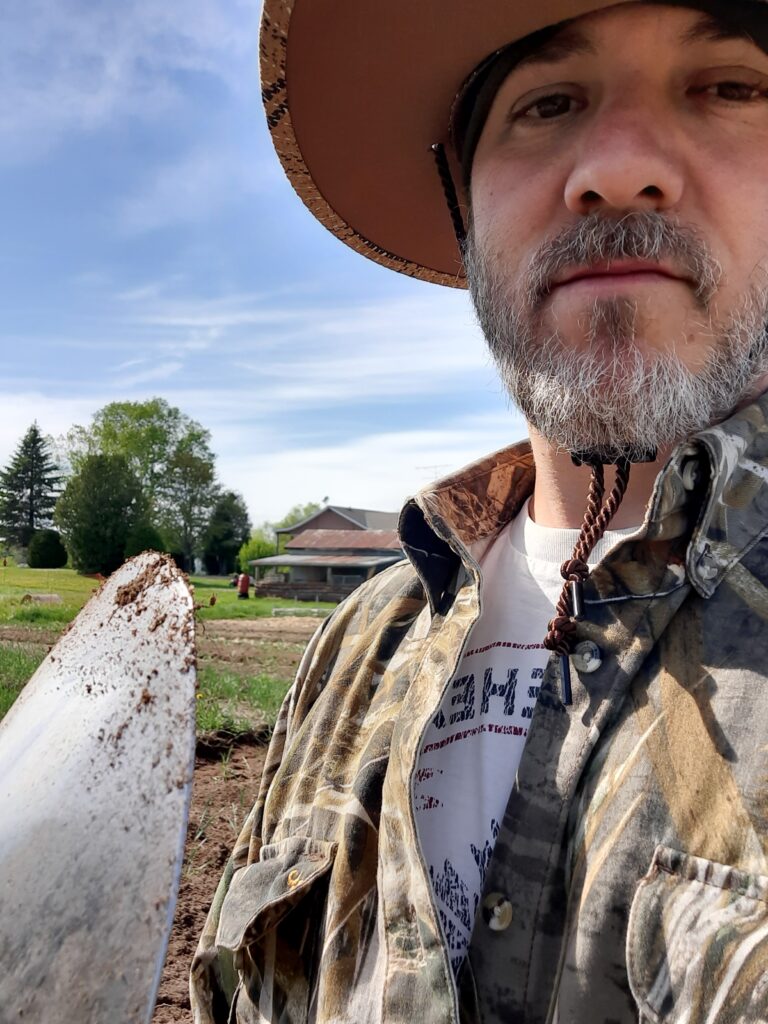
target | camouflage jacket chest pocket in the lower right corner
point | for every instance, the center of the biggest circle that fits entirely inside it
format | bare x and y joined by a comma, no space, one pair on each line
698,943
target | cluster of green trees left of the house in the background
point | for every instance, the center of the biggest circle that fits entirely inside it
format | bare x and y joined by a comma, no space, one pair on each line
142,476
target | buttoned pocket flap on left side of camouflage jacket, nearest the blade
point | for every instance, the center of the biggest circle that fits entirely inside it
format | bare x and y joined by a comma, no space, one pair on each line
263,893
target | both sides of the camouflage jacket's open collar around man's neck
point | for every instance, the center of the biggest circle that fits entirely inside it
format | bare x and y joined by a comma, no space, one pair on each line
720,477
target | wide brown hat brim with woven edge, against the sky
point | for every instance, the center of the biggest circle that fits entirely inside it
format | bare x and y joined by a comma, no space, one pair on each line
357,93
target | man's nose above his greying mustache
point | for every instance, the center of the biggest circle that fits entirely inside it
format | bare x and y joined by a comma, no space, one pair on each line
626,162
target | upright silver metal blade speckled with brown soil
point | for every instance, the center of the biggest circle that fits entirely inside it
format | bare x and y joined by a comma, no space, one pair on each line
97,760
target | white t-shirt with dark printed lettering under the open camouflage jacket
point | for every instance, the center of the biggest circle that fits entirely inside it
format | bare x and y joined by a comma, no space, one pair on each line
474,746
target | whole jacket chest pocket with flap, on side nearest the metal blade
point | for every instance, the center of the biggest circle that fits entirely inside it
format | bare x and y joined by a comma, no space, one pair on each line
272,922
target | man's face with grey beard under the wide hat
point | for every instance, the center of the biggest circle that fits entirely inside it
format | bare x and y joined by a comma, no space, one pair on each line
620,228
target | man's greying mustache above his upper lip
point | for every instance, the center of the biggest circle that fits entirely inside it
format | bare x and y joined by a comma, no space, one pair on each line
648,236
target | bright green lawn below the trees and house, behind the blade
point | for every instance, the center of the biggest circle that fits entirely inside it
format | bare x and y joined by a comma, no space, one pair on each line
75,591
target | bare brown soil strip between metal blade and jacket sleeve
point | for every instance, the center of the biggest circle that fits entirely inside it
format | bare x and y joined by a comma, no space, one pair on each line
224,792
